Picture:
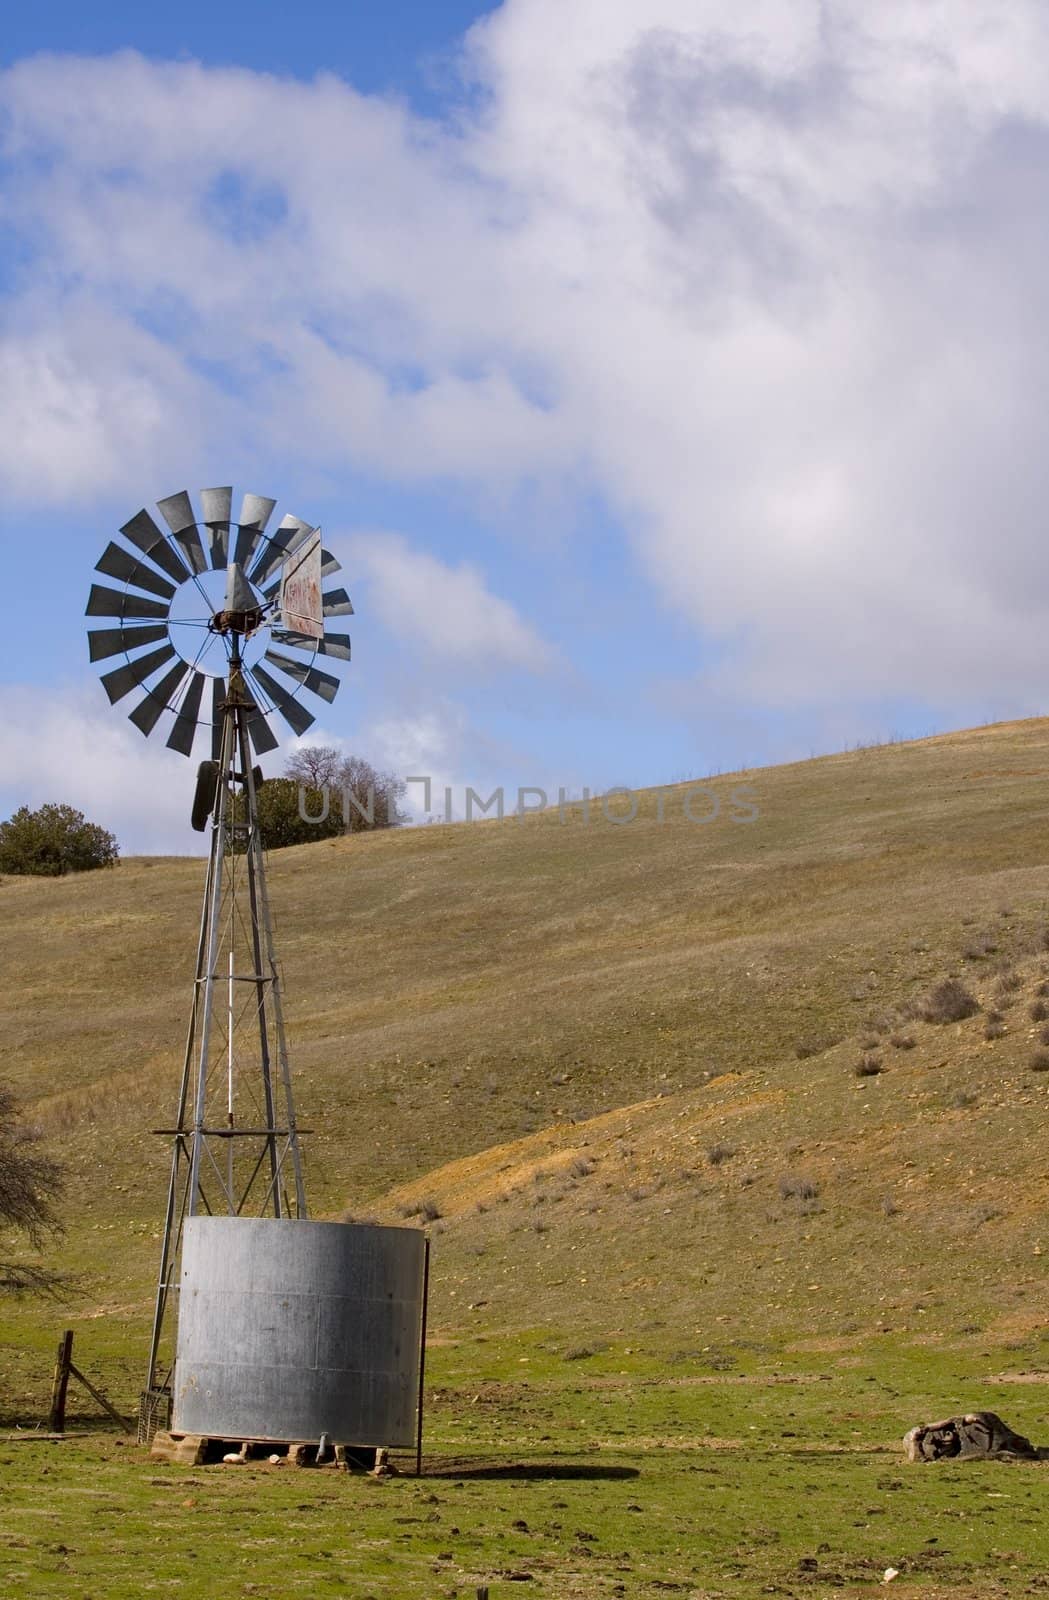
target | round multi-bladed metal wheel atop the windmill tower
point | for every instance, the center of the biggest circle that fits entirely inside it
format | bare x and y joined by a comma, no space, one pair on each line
201,606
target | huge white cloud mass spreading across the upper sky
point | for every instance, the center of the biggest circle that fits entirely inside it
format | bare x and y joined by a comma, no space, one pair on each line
768,279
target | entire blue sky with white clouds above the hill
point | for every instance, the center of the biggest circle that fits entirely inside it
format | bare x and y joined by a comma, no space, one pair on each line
664,377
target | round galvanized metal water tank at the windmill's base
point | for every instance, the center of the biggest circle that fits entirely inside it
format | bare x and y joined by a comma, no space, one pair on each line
290,1330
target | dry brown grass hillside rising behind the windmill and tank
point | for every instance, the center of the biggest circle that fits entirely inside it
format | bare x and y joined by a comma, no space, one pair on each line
620,1060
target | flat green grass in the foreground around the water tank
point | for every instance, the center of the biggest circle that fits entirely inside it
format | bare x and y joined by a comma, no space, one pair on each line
605,1478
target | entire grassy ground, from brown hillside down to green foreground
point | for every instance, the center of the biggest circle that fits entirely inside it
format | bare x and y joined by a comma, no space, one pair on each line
688,1254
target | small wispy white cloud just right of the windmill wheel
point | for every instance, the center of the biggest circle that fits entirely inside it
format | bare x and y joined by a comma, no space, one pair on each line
444,612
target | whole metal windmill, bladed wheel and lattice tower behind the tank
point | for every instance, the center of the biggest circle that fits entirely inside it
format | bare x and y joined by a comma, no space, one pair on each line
220,602
